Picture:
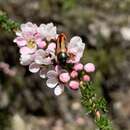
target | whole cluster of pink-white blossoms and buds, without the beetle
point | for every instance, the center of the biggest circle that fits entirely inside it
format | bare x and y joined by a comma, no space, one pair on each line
38,49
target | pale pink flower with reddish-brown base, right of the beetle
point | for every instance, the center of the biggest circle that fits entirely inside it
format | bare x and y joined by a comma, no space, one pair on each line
75,49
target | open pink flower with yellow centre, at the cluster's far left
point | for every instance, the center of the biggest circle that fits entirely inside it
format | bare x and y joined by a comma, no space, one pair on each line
28,39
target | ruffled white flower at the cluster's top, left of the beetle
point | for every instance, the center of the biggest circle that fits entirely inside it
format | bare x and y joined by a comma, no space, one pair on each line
47,31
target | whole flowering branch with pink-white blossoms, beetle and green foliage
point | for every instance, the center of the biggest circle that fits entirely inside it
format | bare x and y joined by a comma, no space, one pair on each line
47,52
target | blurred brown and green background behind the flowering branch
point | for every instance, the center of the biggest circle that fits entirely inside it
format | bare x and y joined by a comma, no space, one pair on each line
27,104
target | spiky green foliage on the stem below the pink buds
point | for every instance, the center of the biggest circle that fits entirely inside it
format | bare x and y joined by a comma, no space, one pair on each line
95,106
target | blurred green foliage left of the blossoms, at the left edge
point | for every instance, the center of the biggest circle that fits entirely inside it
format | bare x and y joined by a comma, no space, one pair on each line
7,24
